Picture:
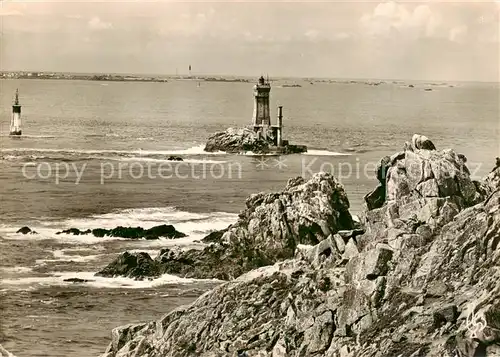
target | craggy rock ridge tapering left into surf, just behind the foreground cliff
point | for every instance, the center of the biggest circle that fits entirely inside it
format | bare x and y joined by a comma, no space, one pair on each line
268,230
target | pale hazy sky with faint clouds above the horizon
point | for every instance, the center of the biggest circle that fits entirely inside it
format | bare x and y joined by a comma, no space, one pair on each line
427,40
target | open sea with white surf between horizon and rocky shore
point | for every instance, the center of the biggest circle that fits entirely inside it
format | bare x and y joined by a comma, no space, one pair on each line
95,155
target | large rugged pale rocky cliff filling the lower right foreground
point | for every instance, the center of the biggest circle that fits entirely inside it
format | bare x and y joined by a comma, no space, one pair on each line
421,281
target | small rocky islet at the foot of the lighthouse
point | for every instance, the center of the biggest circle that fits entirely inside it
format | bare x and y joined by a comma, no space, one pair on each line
244,140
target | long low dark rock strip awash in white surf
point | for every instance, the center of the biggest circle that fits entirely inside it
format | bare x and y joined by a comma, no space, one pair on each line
166,231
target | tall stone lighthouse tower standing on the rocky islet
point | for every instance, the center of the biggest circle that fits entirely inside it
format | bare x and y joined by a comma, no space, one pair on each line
261,120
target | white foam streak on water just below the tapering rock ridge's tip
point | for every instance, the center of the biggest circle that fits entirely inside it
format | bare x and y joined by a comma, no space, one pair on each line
57,279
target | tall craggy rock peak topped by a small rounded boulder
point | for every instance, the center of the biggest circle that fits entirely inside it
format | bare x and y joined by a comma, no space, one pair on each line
420,190
